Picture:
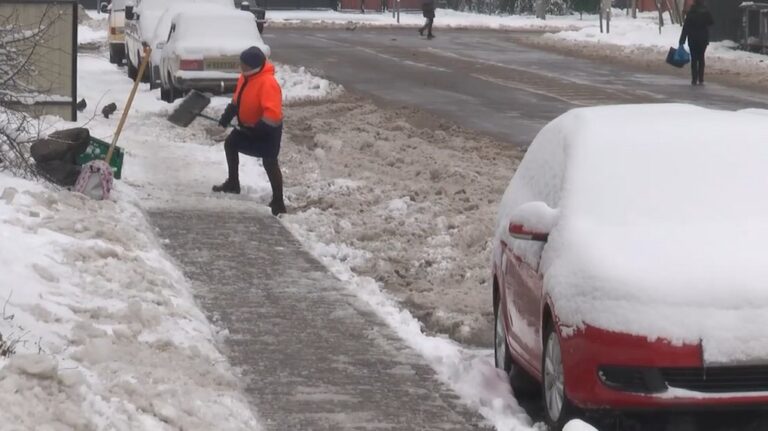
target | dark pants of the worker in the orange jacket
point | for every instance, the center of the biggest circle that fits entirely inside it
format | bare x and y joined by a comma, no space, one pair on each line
265,147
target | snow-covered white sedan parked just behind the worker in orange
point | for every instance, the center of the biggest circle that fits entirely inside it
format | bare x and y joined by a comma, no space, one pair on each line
203,49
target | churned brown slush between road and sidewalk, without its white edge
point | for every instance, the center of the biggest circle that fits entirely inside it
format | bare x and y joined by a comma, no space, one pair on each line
418,194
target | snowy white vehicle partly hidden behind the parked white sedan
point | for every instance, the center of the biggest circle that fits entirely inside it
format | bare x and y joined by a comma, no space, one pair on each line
143,23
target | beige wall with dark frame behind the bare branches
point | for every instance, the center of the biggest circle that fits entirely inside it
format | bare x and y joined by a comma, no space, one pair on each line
54,59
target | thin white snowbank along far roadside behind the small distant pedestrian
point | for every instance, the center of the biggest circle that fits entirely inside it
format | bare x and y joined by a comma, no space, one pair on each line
445,18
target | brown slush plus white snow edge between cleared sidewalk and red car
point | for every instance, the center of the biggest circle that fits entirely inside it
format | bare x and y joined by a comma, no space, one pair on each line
404,213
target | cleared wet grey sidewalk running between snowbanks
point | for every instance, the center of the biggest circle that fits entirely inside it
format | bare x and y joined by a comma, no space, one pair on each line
315,357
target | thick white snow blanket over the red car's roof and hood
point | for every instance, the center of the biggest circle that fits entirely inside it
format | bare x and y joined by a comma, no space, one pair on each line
663,224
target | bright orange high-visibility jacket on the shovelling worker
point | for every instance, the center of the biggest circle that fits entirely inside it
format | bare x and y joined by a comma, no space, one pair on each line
259,96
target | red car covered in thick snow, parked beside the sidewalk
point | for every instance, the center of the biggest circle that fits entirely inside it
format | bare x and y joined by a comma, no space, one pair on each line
629,262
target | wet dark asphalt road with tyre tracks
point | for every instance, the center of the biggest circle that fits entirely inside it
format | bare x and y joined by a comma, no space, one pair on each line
484,80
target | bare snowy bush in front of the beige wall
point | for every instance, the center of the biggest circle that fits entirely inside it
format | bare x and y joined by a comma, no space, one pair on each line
18,45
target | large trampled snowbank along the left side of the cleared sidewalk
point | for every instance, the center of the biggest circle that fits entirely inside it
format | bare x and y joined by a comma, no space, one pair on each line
106,333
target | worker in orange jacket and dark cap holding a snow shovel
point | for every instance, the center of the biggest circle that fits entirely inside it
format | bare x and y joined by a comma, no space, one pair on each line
258,106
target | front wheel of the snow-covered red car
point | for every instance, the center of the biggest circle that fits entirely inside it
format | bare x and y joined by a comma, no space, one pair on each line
558,409
